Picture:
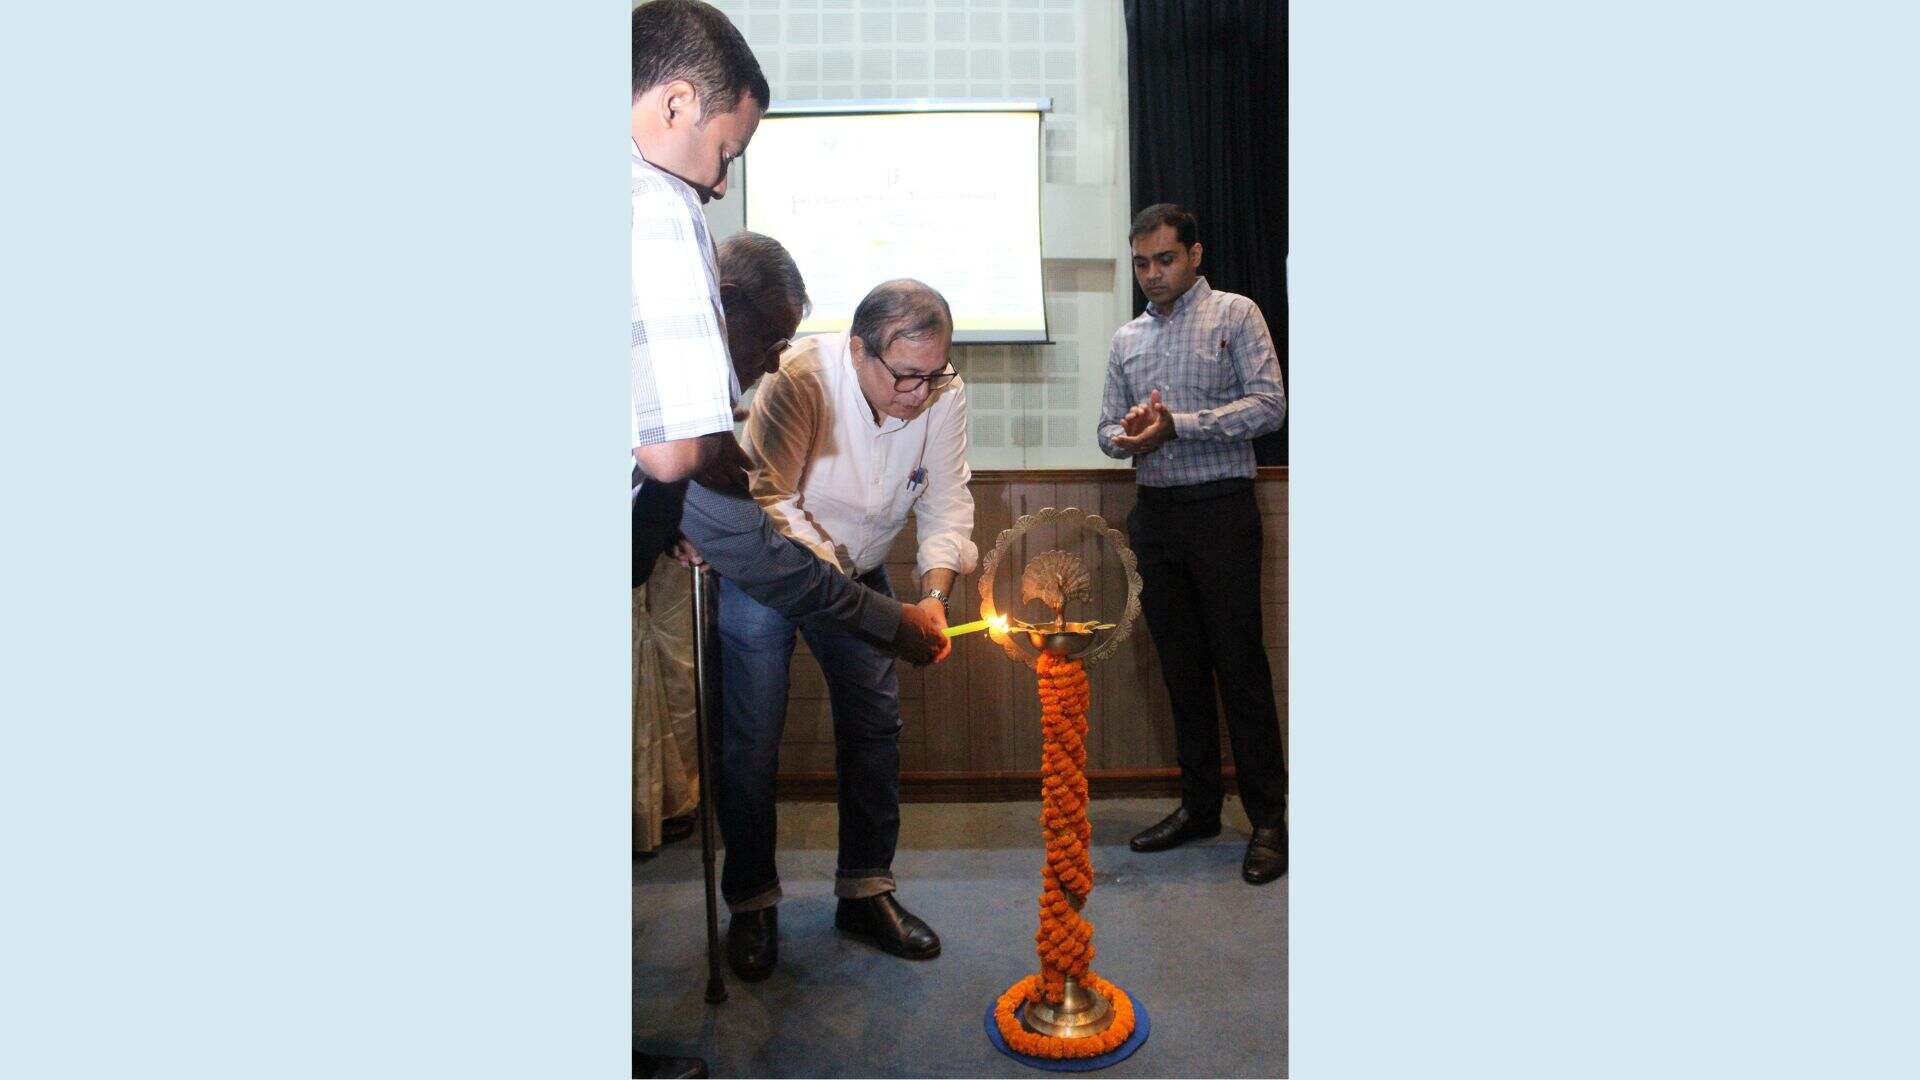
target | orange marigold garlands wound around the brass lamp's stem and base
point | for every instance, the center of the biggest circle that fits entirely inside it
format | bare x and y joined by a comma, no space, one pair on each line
1065,941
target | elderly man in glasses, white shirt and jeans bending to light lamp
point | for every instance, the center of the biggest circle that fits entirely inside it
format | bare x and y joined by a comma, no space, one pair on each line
855,433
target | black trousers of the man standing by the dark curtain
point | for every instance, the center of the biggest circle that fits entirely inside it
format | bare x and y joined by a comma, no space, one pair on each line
1199,552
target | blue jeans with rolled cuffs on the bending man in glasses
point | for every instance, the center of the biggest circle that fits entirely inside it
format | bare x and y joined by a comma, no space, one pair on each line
756,650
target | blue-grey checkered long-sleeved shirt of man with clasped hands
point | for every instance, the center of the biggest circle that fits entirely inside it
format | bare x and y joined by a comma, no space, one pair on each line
1214,366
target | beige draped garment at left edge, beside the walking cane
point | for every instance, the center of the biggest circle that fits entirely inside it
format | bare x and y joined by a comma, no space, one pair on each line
667,781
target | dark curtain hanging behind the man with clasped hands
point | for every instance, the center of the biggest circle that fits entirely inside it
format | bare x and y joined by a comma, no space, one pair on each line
1207,116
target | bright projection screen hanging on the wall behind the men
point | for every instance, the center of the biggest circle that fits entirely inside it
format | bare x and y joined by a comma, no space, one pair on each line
871,191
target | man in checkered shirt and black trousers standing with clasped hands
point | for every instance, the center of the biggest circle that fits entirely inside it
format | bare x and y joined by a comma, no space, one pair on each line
1189,385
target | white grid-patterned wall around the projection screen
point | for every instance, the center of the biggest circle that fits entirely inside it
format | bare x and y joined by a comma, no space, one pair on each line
1032,406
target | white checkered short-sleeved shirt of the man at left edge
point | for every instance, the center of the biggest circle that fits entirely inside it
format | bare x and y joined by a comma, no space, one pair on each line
684,383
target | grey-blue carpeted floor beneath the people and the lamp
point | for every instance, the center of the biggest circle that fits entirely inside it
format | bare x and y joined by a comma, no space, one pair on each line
1203,950
